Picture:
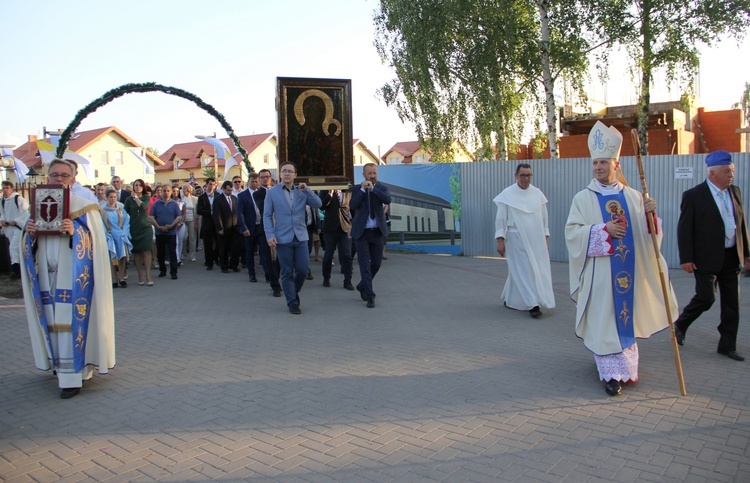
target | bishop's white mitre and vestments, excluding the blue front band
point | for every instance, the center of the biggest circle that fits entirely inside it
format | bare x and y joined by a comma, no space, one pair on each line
592,287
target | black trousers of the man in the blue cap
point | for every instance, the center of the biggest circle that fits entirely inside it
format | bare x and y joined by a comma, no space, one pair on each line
727,281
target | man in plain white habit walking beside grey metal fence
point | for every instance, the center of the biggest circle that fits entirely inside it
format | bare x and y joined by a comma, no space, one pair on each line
522,234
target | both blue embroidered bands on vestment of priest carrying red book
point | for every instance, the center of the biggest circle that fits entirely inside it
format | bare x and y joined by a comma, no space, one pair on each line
83,289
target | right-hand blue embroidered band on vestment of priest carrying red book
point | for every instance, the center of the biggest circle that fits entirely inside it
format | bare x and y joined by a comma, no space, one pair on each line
83,288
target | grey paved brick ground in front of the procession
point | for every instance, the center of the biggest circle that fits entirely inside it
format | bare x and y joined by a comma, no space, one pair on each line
217,381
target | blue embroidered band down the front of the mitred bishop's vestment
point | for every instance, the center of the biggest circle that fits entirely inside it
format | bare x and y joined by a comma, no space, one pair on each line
615,208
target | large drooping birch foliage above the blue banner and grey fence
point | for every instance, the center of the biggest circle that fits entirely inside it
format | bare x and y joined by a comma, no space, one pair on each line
468,69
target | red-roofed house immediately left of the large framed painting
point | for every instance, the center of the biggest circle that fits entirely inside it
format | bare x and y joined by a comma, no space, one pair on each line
182,159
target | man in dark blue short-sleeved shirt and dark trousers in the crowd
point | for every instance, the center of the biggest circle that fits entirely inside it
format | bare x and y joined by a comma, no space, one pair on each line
164,216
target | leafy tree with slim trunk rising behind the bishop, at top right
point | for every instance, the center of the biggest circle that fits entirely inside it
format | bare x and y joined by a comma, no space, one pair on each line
667,34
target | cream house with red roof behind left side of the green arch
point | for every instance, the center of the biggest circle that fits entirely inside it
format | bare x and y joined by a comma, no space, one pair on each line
108,151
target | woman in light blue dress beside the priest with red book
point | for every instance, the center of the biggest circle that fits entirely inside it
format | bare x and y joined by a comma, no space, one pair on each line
117,223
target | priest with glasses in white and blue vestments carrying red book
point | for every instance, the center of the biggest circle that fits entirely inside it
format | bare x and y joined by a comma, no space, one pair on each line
67,291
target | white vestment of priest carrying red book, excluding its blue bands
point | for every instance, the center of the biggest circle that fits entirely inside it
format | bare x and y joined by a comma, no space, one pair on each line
53,258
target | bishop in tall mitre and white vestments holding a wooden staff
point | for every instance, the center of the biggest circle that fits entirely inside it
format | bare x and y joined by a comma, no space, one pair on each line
614,272
